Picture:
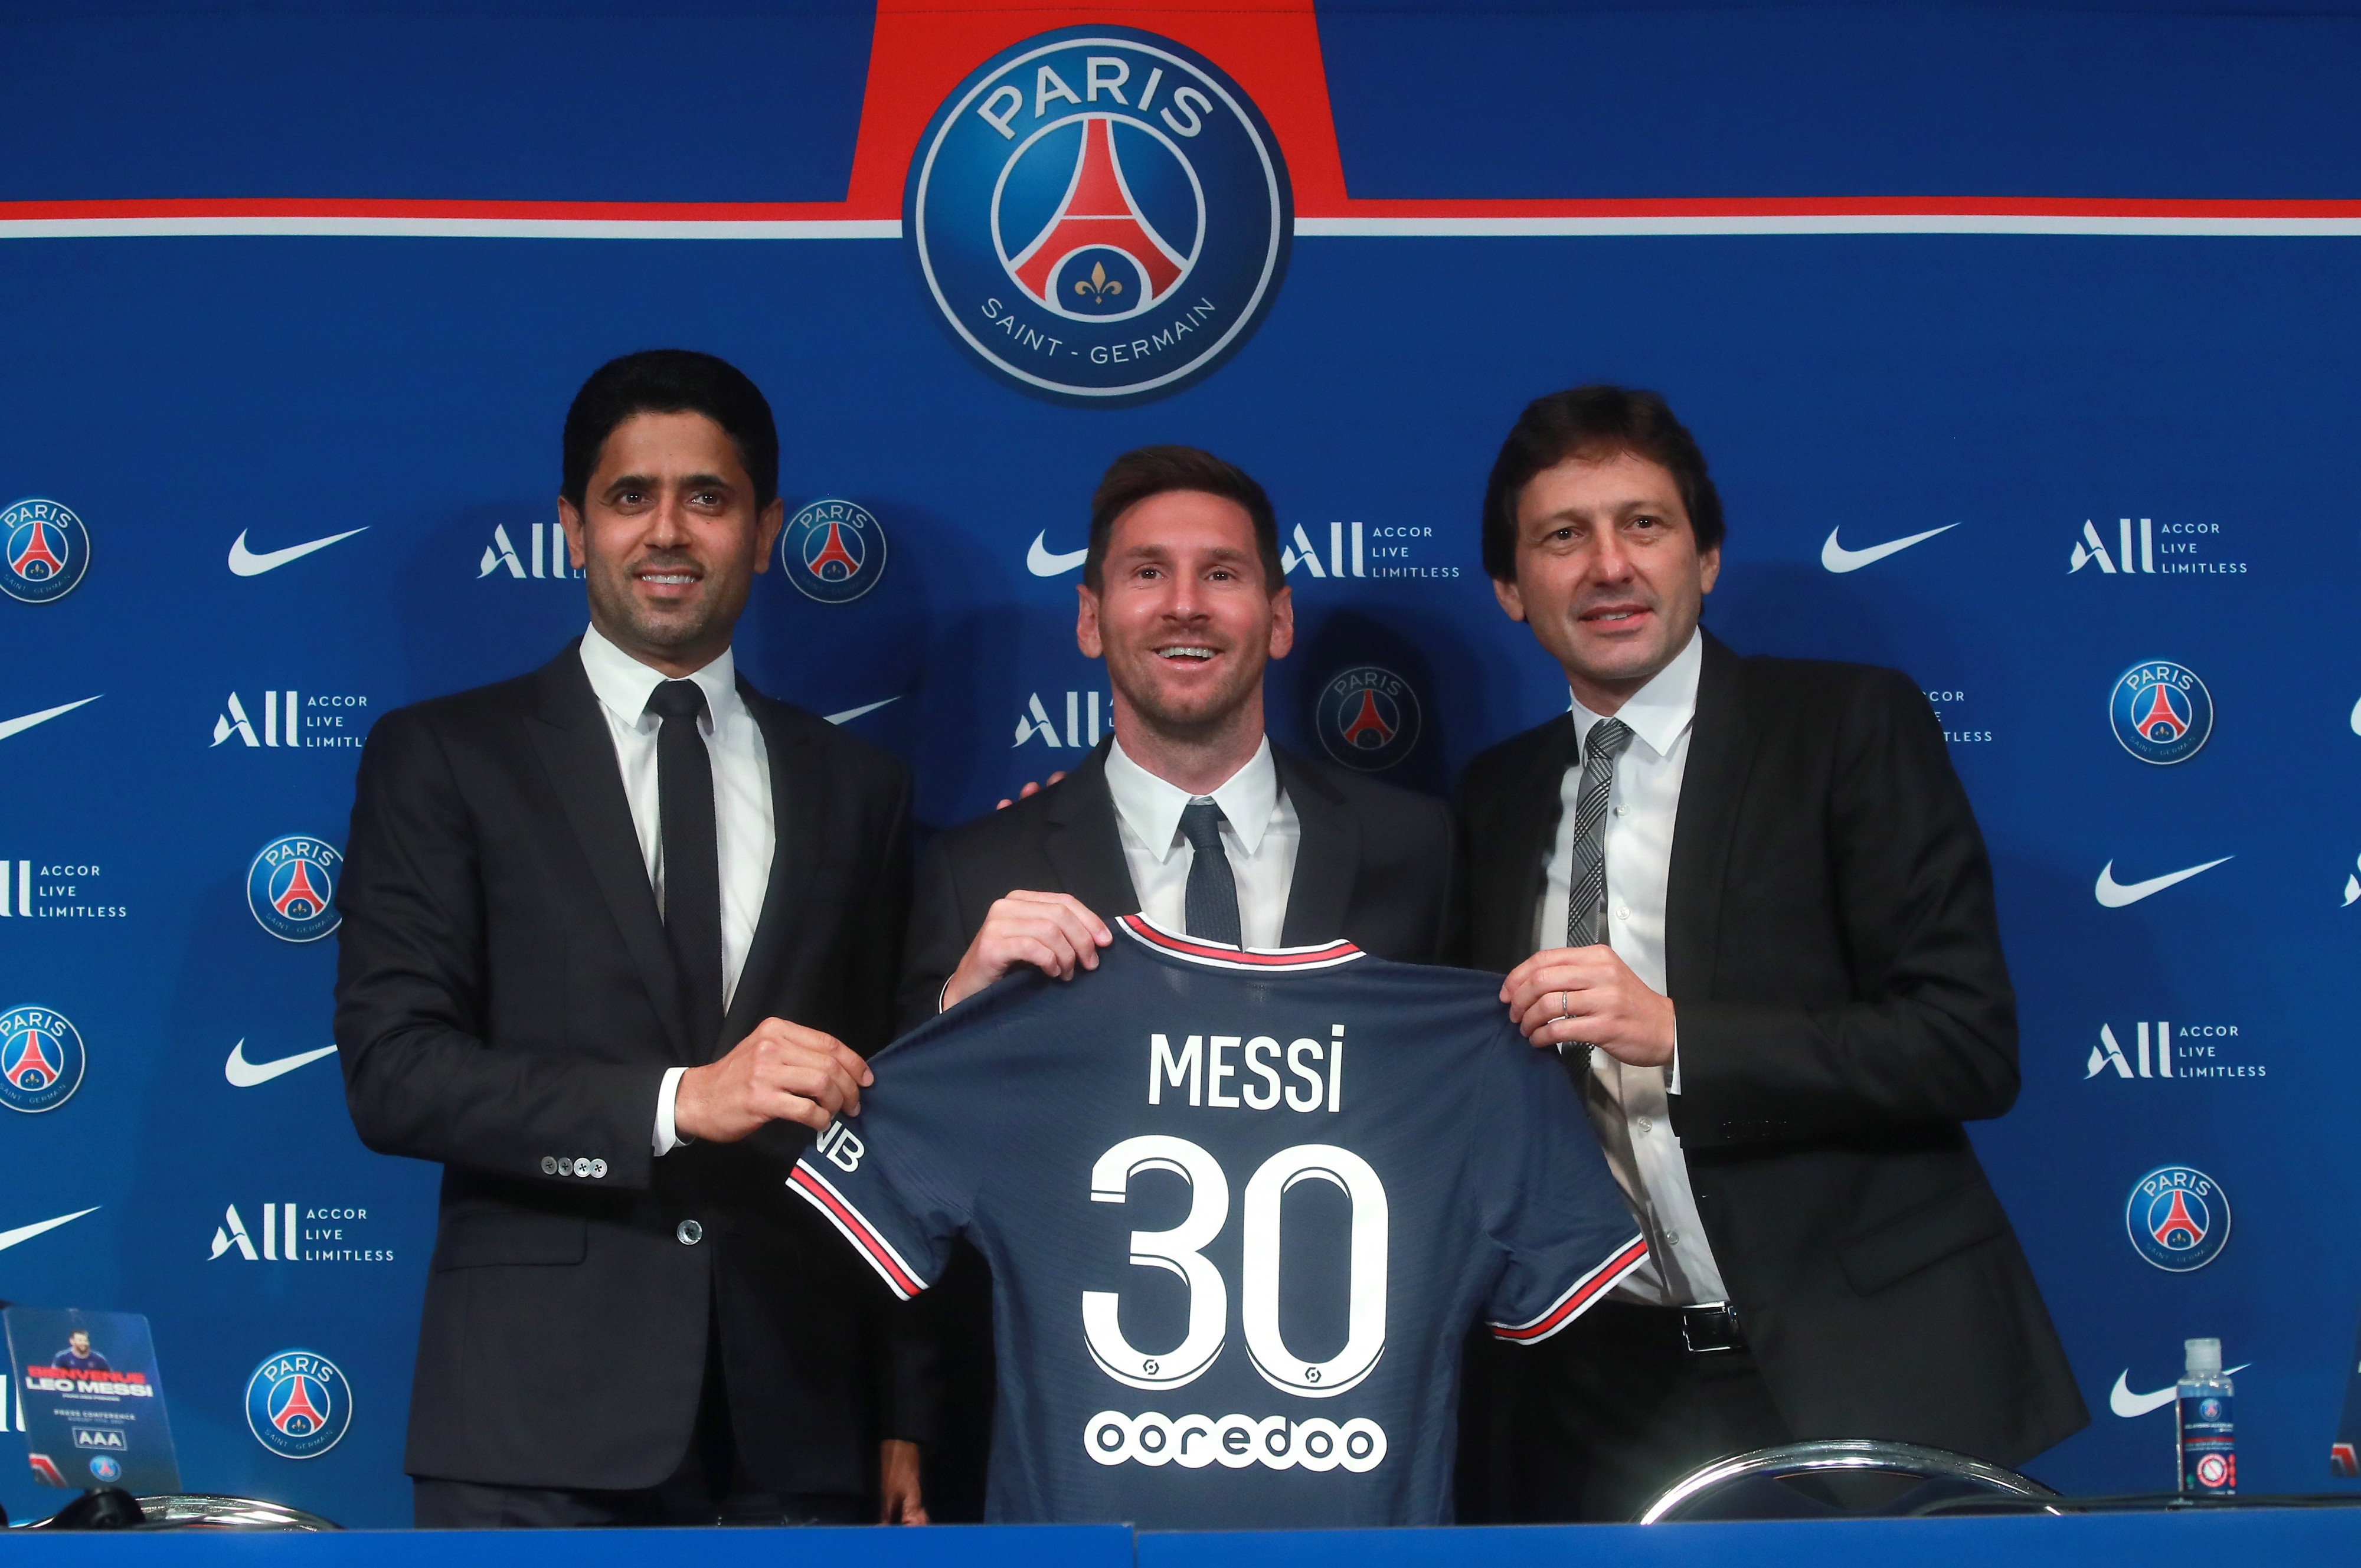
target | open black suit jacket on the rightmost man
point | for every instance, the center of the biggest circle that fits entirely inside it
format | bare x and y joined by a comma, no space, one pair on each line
1843,1002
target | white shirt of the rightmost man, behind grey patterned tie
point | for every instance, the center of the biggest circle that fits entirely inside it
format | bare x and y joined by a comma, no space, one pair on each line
1630,1104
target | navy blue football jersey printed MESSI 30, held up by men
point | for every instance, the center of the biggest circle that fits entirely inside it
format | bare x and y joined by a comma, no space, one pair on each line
1241,1210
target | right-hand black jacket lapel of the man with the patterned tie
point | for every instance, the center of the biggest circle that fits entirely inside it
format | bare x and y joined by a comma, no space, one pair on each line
1720,747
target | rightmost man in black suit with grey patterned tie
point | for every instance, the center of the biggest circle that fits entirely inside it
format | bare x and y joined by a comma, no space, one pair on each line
1748,903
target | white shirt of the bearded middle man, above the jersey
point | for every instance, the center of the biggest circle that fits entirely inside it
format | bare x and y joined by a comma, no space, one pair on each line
1260,837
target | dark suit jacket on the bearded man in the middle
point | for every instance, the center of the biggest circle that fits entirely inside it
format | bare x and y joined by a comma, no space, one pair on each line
1375,865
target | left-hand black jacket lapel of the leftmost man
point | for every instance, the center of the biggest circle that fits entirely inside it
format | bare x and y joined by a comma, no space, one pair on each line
570,733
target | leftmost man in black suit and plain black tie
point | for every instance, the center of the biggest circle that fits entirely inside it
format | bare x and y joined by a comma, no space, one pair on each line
615,936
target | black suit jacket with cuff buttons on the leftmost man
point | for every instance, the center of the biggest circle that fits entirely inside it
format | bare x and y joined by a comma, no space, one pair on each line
506,1000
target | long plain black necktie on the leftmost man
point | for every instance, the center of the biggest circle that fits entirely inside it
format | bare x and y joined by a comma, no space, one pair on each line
693,880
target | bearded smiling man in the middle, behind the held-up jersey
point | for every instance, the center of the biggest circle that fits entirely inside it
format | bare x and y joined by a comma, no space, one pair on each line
1186,814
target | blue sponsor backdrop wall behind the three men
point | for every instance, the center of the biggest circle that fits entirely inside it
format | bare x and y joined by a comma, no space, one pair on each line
2143,445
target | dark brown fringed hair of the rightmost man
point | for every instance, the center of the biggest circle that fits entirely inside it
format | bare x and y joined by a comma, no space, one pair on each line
1592,422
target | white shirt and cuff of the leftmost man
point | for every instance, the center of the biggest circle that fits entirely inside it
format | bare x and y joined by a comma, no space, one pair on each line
743,828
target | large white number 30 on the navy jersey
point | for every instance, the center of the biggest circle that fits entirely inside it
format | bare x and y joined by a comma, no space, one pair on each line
1179,1250
